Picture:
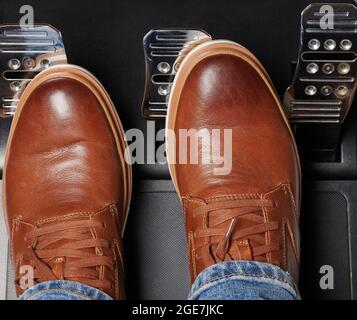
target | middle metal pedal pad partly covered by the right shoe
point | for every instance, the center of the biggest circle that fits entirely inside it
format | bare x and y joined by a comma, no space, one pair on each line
164,50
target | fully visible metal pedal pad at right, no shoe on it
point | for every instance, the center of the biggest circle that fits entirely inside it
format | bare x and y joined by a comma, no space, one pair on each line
324,82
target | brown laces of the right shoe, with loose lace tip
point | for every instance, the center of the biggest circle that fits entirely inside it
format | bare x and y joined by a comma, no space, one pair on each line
232,212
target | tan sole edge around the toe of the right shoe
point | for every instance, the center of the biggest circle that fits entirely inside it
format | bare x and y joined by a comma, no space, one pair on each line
202,51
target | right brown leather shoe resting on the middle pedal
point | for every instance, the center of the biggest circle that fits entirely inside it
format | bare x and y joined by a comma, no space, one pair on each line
252,213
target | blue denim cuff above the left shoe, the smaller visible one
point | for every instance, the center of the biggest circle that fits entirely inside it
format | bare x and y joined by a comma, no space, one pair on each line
63,290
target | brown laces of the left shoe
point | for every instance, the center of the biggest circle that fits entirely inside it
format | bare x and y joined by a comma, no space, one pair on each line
73,246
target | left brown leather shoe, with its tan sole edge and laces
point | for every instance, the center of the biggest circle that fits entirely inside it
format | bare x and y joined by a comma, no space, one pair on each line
66,185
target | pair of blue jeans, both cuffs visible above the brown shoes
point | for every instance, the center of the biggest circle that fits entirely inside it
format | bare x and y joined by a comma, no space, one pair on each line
234,280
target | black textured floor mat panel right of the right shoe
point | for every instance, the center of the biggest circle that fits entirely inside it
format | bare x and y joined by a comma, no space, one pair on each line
325,242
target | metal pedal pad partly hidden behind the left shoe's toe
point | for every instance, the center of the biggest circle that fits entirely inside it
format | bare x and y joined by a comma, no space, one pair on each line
24,52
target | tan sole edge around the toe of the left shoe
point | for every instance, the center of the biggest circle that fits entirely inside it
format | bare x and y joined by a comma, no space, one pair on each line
93,84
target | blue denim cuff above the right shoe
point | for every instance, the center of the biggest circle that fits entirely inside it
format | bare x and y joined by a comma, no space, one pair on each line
244,280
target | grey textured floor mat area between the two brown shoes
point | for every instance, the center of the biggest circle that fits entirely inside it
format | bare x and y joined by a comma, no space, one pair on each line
155,243
